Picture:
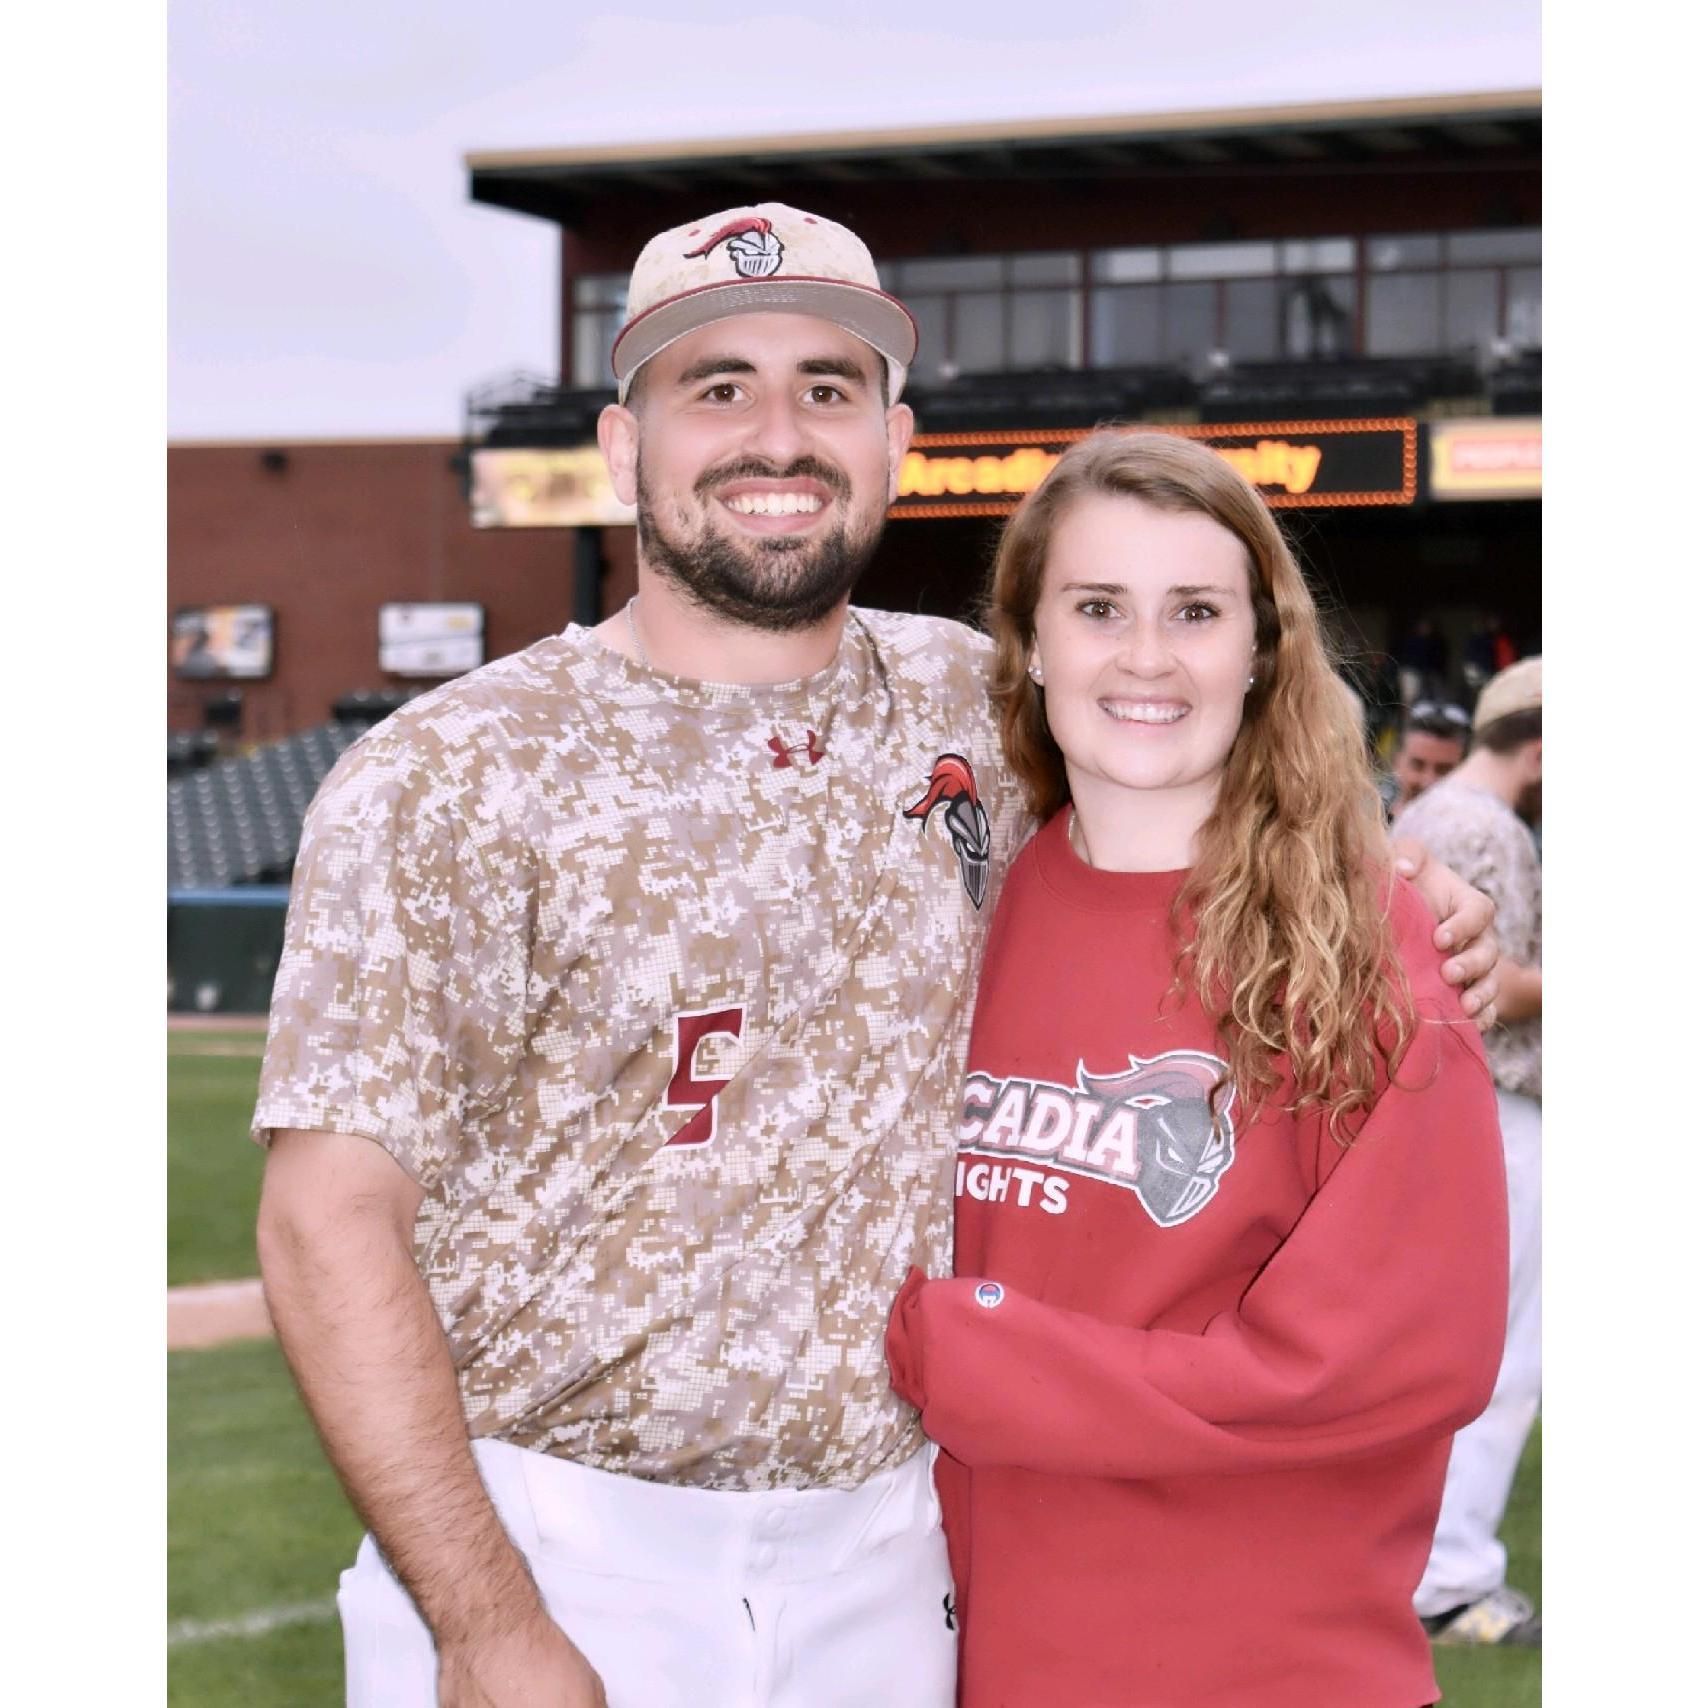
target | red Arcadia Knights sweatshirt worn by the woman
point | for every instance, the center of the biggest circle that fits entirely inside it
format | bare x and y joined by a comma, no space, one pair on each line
1200,1369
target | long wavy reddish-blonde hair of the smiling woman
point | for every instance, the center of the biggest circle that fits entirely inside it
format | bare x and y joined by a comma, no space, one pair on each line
1290,952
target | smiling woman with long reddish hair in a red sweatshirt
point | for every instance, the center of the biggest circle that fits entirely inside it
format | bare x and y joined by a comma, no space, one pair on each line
1231,1227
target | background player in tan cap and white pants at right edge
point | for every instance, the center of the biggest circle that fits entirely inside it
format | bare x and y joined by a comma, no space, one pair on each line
1480,821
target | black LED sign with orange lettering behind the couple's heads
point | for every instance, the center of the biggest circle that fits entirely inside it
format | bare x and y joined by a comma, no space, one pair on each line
1331,464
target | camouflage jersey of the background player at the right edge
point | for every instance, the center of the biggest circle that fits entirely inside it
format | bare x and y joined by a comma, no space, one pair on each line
1485,841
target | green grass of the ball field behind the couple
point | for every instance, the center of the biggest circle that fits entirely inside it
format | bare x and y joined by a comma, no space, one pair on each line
257,1526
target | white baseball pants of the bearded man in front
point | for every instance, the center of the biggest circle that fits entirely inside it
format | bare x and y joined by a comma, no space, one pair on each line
681,1596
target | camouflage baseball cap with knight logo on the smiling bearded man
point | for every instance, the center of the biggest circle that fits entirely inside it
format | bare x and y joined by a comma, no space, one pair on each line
761,260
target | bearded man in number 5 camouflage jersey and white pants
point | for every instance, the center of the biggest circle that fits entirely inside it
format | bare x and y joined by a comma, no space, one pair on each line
617,1053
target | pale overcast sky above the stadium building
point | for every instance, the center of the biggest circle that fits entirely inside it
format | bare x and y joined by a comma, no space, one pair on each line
329,274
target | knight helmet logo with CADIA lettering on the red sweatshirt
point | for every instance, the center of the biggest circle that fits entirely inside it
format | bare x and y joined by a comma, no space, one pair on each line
1161,1128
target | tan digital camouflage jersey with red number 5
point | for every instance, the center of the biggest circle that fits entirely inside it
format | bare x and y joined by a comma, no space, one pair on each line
546,913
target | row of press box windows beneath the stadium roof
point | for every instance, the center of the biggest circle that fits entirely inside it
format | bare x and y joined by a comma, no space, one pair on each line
1296,300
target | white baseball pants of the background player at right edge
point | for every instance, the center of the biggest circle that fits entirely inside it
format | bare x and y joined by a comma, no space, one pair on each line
1468,1559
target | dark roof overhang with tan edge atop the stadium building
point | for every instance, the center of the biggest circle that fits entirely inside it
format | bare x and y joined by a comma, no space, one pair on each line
571,185
